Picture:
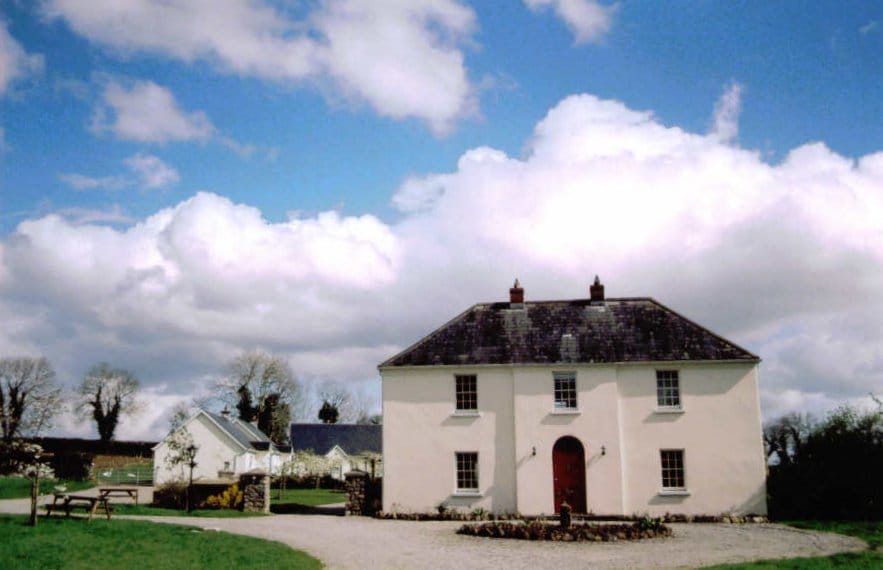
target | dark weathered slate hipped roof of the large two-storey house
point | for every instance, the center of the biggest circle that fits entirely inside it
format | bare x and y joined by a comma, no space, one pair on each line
579,331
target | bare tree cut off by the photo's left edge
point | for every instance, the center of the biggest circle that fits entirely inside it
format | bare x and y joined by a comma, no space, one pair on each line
29,396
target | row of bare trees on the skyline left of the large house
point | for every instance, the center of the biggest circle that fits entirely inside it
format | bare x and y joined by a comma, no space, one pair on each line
259,386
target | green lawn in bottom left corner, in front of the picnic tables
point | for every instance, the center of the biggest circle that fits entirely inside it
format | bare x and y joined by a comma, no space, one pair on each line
76,543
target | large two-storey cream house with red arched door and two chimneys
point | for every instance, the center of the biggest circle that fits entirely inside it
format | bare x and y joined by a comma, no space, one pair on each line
617,406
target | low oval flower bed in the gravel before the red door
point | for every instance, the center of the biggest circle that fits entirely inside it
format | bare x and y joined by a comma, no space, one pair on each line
536,530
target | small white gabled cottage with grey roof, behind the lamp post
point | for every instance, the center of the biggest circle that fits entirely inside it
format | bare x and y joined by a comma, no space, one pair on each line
225,448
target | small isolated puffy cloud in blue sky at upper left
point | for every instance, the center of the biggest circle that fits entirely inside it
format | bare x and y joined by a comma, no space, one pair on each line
147,112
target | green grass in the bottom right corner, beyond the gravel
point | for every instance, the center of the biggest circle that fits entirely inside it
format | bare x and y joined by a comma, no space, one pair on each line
870,532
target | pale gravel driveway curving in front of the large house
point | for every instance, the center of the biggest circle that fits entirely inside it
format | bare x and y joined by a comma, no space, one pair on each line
357,542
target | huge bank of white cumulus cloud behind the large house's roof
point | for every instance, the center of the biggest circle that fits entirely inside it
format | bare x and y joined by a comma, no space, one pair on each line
782,258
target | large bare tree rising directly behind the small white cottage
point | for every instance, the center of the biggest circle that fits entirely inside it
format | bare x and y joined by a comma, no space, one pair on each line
262,388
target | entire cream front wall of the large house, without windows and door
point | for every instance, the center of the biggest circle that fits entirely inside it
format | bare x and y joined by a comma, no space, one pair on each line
719,431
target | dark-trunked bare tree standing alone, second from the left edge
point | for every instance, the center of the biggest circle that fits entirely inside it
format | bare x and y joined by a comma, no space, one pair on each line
107,394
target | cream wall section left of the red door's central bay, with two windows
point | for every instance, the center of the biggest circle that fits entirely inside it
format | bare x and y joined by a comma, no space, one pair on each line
421,435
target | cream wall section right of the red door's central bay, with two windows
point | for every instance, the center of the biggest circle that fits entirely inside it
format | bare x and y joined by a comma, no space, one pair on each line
719,431
